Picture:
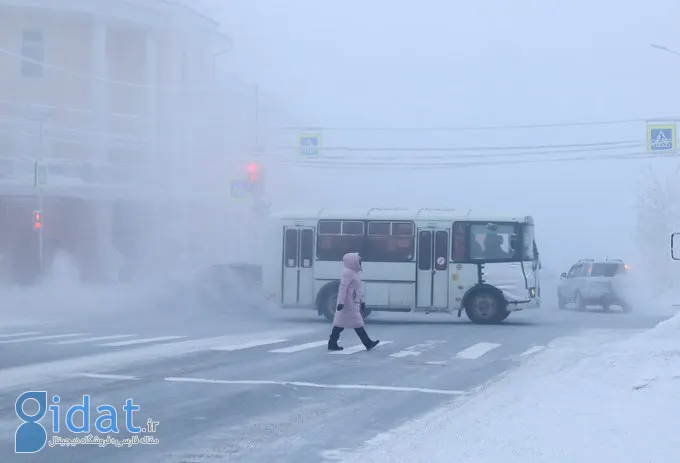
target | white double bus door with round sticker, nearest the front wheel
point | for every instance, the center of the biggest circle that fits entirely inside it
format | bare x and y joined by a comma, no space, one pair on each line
432,279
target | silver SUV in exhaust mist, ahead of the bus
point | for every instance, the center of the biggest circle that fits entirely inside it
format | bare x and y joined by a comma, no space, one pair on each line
593,282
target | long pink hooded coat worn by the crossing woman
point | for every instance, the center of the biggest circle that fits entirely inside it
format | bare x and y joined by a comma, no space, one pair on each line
350,294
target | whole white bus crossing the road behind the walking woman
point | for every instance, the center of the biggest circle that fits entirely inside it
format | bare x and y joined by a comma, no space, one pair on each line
426,260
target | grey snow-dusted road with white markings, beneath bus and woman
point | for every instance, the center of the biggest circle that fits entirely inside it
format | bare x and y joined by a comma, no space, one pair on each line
236,389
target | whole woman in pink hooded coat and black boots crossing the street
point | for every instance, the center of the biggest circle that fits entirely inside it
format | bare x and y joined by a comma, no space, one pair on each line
351,305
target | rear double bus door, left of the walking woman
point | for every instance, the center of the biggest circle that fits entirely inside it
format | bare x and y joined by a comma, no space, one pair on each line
298,266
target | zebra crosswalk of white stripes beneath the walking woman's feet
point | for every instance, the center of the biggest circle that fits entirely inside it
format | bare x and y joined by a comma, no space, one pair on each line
433,351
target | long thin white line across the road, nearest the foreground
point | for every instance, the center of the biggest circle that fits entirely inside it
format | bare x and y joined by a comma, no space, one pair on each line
366,387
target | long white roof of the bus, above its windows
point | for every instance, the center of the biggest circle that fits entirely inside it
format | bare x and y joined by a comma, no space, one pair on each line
396,213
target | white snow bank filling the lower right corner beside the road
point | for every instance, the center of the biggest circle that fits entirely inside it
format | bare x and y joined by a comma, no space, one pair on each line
574,403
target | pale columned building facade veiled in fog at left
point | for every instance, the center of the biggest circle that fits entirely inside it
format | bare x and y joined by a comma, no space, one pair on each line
118,102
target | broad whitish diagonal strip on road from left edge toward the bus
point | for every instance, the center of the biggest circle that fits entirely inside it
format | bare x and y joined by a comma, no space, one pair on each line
27,375
